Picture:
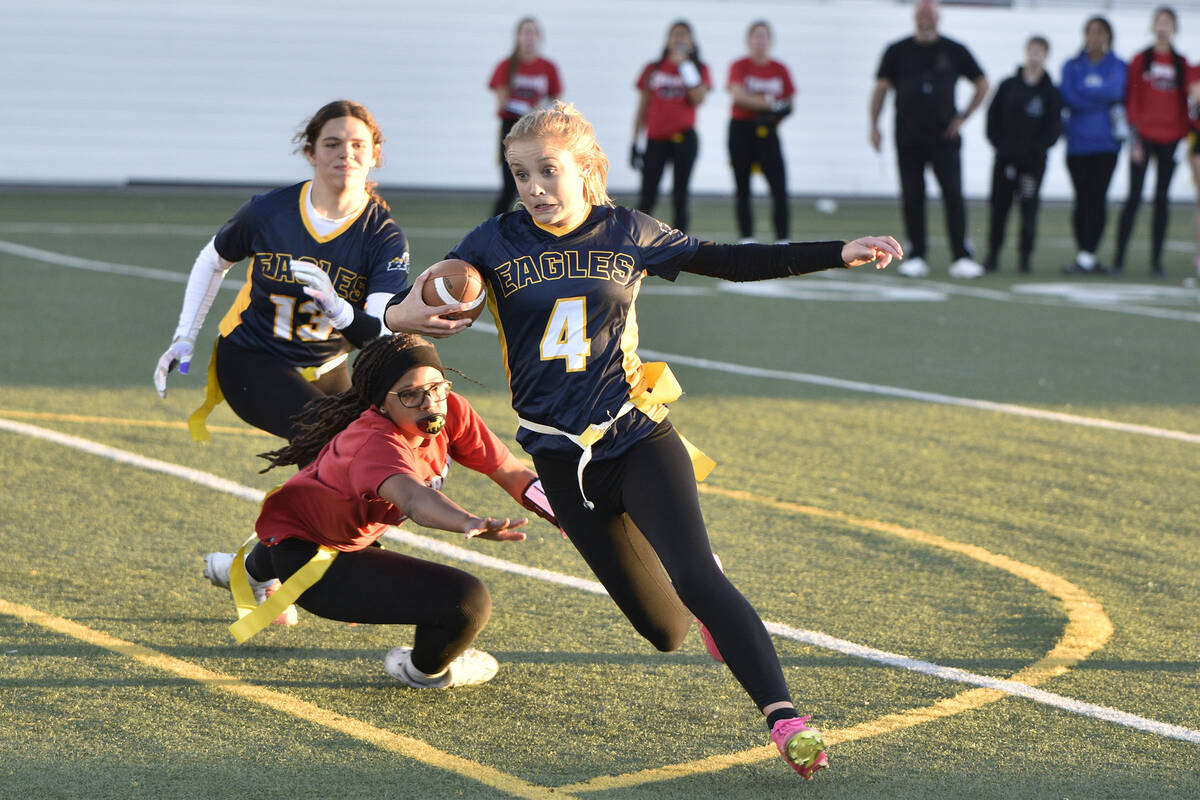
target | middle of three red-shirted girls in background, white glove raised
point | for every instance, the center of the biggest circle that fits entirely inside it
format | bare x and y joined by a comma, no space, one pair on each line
671,89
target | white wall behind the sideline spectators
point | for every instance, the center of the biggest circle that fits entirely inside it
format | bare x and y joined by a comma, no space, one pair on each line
212,91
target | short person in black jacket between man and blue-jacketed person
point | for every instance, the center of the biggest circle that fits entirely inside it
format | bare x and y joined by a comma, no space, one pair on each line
1024,121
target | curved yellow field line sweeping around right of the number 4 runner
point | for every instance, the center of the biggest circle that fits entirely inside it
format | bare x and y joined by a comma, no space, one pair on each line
1088,629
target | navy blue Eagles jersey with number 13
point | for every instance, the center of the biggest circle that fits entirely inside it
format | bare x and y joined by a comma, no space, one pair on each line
365,256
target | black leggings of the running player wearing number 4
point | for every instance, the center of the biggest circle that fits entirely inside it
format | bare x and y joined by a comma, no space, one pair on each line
647,544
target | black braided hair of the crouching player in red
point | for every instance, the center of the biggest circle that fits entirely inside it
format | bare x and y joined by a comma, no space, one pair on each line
325,418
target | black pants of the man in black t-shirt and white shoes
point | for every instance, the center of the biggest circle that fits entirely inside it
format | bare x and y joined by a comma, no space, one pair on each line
945,158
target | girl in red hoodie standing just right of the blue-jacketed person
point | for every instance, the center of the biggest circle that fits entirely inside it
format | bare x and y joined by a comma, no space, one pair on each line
1157,105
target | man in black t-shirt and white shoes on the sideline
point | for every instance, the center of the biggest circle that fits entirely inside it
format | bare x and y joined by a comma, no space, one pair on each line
923,70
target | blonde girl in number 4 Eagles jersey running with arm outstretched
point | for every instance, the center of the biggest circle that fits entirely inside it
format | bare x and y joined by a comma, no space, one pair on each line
563,275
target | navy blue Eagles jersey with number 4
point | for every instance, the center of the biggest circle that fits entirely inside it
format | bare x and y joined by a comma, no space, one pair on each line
565,308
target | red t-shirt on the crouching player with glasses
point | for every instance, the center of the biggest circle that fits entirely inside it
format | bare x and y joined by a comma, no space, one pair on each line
335,501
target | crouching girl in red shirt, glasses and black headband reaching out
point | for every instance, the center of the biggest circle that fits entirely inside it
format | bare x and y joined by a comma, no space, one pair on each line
379,455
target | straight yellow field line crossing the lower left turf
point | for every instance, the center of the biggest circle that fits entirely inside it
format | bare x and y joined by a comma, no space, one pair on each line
395,743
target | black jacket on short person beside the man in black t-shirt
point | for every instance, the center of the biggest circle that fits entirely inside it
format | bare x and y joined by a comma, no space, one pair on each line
1024,122
